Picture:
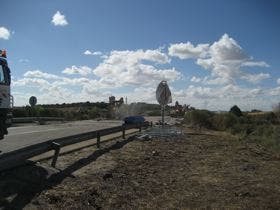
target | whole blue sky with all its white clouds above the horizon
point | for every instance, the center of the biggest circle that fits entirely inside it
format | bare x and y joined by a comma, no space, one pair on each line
213,54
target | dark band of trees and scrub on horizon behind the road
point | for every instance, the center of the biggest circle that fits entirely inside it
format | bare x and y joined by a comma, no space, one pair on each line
88,110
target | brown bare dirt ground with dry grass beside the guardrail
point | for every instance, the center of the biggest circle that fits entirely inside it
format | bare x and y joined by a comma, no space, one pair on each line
200,169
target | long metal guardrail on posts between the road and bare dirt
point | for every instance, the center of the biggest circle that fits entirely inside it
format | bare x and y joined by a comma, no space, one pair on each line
18,157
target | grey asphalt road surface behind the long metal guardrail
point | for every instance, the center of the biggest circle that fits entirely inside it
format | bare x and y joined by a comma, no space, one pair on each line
30,134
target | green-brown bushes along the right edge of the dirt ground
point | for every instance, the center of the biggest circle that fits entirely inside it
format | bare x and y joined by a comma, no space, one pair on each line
260,127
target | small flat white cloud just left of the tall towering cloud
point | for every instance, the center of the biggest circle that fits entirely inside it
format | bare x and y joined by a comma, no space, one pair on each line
187,50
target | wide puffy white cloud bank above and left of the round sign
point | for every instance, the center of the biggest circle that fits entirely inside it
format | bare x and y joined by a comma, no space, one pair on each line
119,69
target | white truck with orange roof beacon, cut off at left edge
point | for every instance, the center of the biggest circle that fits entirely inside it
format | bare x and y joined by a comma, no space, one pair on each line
6,99
